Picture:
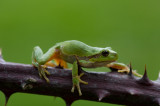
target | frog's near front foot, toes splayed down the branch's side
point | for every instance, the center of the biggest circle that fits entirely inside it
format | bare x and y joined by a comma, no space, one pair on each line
76,81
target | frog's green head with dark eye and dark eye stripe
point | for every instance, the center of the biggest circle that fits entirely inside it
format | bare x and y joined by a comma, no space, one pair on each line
104,55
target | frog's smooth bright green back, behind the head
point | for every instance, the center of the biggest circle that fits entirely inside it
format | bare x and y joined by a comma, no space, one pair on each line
74,47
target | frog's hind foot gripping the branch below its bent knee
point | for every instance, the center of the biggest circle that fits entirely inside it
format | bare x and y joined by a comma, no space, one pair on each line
42,71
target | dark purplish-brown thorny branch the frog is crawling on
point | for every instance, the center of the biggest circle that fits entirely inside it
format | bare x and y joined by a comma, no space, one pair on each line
111,87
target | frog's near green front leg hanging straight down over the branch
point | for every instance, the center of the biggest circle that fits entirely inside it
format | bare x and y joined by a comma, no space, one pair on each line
76,79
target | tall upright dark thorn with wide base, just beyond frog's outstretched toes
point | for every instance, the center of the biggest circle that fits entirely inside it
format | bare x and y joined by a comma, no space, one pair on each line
145,80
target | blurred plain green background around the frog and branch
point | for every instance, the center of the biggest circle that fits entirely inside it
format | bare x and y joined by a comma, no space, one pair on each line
132,28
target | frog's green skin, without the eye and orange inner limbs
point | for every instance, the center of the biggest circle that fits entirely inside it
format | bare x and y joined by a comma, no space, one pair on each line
74,52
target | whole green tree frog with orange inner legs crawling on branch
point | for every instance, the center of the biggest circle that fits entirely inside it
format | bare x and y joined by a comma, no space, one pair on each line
74,52
